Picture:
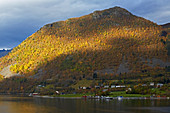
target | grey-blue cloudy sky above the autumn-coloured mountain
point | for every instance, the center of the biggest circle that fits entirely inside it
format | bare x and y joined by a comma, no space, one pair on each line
21,18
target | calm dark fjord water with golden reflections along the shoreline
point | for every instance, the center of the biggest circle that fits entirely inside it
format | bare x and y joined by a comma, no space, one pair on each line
13,104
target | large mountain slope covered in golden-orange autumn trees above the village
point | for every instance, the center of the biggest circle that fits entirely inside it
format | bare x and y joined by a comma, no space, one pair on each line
109,42
